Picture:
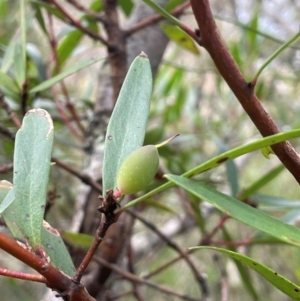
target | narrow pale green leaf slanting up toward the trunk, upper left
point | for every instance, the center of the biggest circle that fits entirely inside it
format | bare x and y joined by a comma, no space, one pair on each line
68,71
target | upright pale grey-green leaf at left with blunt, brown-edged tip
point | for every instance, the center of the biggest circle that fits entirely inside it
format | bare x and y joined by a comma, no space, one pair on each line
32,157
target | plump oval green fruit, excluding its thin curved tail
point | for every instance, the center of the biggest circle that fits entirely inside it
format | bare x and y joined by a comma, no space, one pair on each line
138,170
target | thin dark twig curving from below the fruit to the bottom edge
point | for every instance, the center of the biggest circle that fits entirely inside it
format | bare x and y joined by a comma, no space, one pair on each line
183,254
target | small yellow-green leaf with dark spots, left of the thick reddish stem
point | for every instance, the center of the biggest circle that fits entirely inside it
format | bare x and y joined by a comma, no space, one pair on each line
181,38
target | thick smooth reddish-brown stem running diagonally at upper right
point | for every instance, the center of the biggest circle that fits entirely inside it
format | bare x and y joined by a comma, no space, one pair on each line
211,40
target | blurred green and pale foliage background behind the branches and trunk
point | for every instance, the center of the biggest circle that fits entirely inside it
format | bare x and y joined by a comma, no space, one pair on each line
190,98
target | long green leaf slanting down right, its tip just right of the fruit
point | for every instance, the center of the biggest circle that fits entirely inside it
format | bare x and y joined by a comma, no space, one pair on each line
240,211
